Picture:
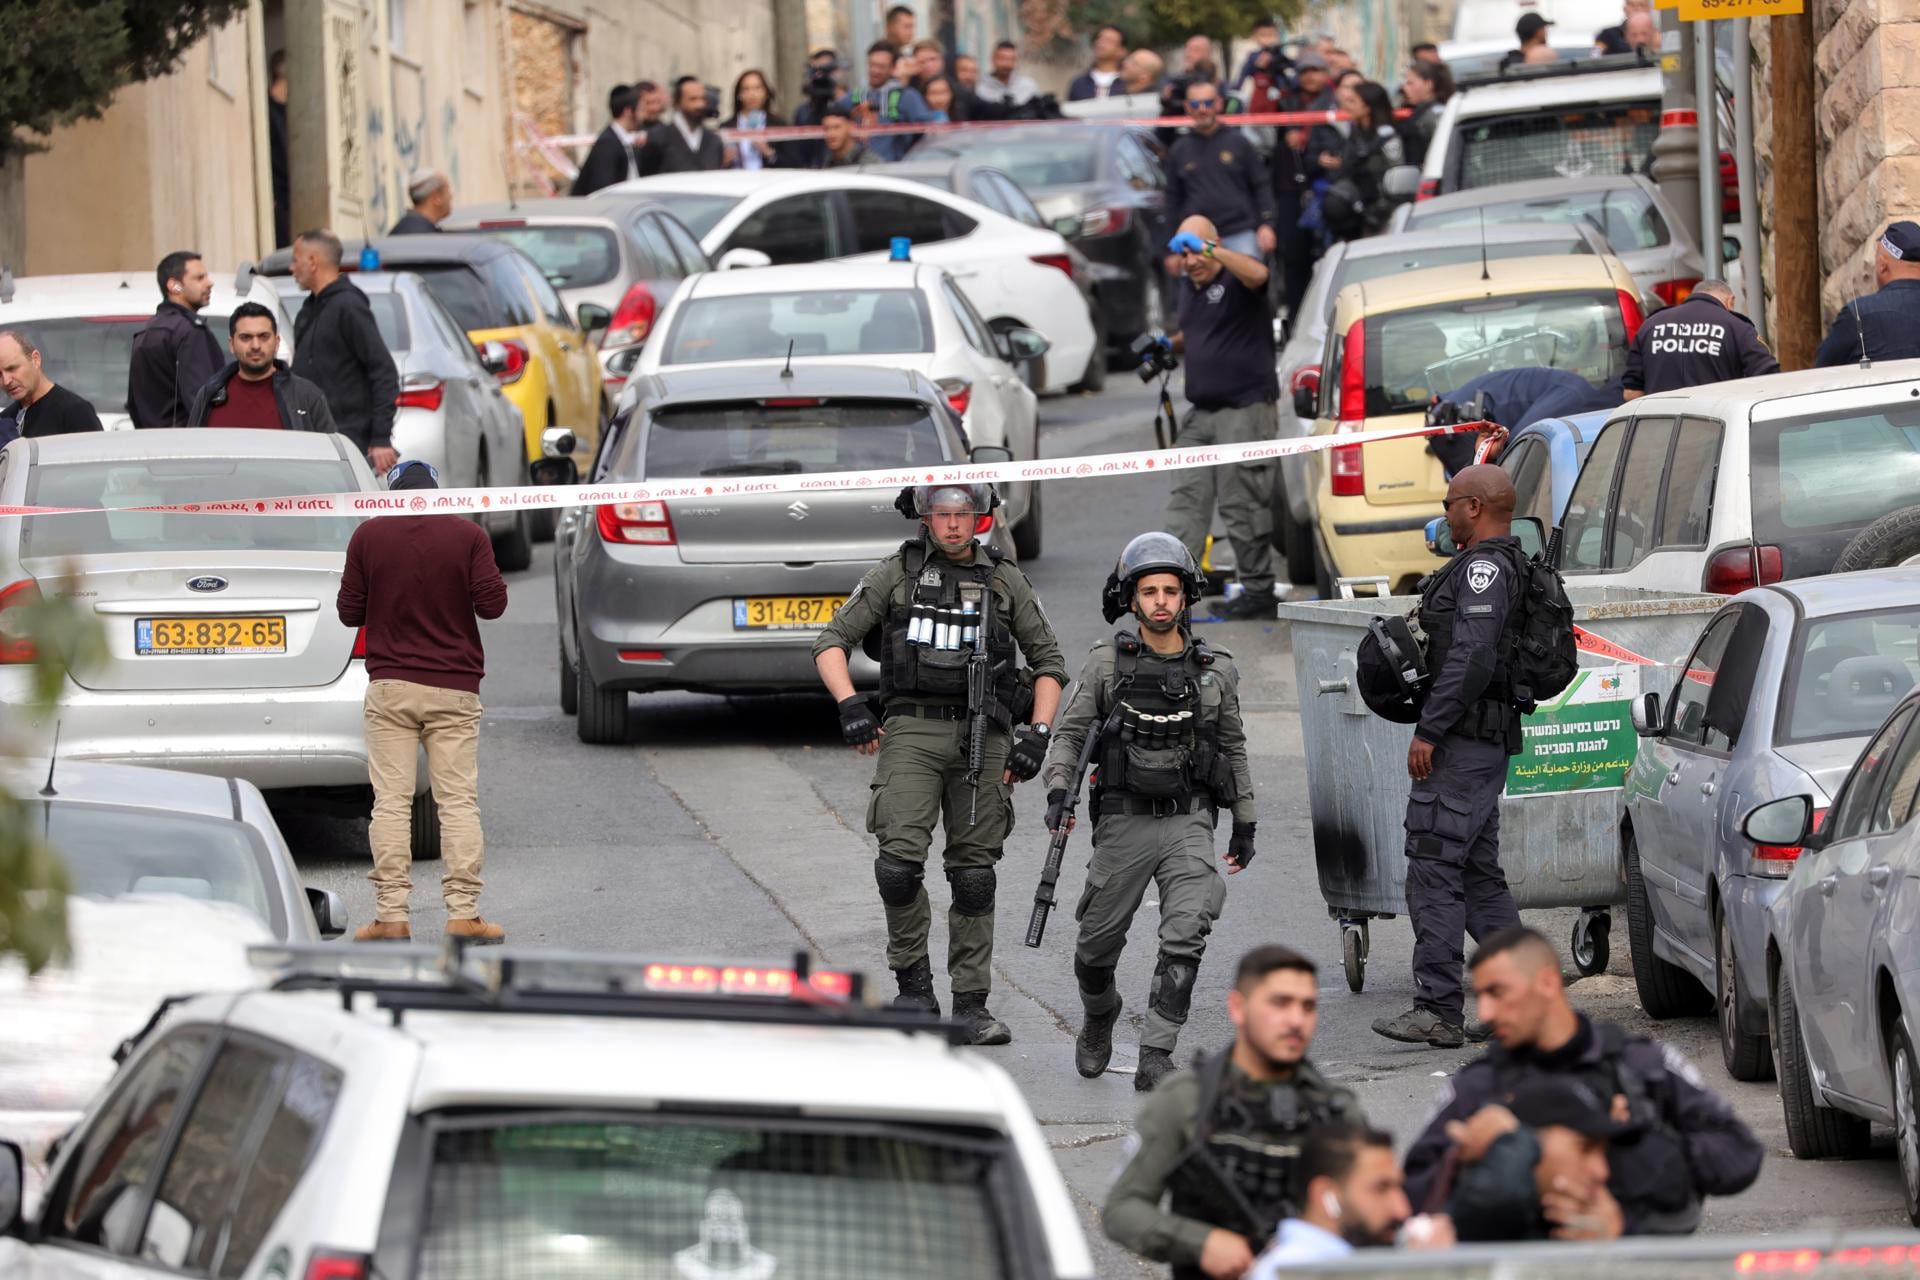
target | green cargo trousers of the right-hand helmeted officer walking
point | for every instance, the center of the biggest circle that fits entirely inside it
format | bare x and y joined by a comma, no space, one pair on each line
1176,855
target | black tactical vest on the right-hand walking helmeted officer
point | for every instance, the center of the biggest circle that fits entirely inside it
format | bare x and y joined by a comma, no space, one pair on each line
1168,742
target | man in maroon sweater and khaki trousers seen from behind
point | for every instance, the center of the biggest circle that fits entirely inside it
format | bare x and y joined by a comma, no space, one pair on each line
418,584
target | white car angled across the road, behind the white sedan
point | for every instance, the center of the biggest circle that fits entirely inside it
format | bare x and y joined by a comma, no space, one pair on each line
1017,275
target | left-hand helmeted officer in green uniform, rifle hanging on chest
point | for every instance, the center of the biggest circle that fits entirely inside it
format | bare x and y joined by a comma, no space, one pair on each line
921,611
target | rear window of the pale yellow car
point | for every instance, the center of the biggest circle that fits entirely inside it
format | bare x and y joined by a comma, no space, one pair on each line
1426,352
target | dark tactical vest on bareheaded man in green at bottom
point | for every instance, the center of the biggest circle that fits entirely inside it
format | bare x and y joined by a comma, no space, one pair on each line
1241,1172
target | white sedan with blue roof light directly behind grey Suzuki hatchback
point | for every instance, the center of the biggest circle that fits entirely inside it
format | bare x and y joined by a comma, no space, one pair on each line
894,316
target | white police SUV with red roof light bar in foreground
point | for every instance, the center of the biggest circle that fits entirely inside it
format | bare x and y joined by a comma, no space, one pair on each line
410,1112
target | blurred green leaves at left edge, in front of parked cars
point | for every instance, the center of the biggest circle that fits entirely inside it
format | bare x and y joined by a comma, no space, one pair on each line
34,880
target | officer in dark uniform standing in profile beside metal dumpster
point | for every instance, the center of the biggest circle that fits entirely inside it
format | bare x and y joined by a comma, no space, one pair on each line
1458,761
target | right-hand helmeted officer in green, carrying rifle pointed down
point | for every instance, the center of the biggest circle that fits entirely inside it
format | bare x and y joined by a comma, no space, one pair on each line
1170,759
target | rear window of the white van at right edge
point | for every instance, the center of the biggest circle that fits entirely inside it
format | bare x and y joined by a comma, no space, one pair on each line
1821,479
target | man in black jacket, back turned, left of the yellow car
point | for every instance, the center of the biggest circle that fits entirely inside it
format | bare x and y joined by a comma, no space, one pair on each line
339,348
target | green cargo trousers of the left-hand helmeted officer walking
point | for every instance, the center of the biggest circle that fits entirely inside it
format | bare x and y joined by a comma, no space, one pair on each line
923,778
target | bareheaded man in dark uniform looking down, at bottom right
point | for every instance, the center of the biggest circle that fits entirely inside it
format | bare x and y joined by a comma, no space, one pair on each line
1677,1141
